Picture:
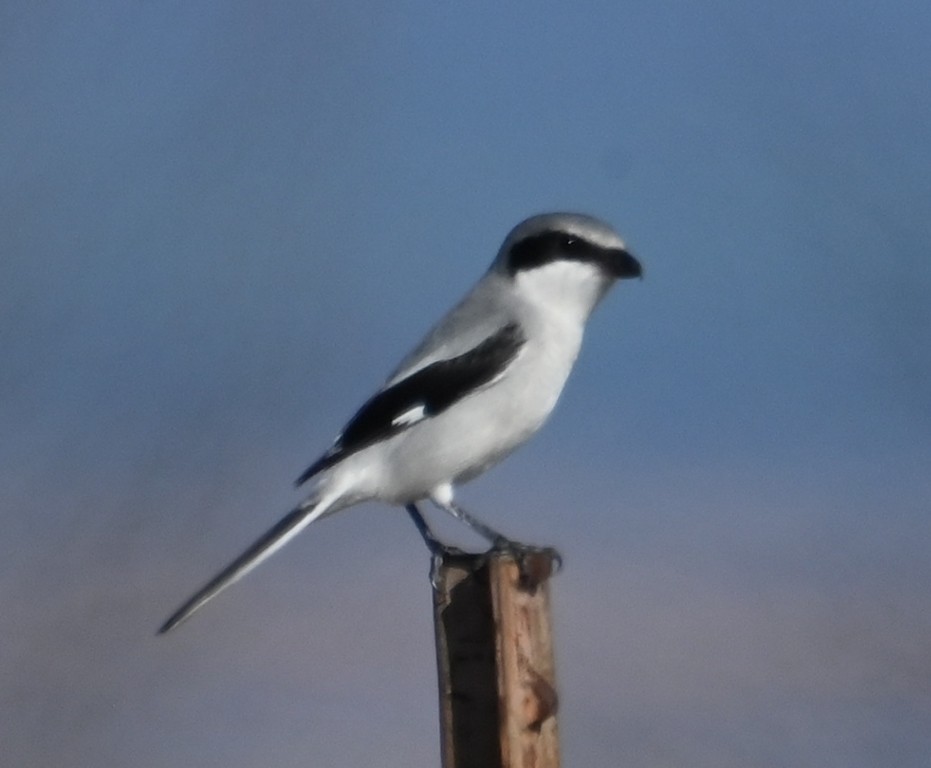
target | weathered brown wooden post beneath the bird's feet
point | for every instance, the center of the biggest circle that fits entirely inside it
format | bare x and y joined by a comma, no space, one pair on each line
495,657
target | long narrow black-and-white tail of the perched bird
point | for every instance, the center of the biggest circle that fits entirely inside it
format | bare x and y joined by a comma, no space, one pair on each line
269,543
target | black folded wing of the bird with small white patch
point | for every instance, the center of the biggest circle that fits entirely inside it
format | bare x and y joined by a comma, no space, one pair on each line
426,392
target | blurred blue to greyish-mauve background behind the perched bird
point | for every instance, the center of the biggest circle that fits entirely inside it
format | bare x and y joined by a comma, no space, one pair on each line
222,224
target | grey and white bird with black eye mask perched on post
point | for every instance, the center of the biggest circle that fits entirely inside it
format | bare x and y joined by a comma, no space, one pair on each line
478,386
